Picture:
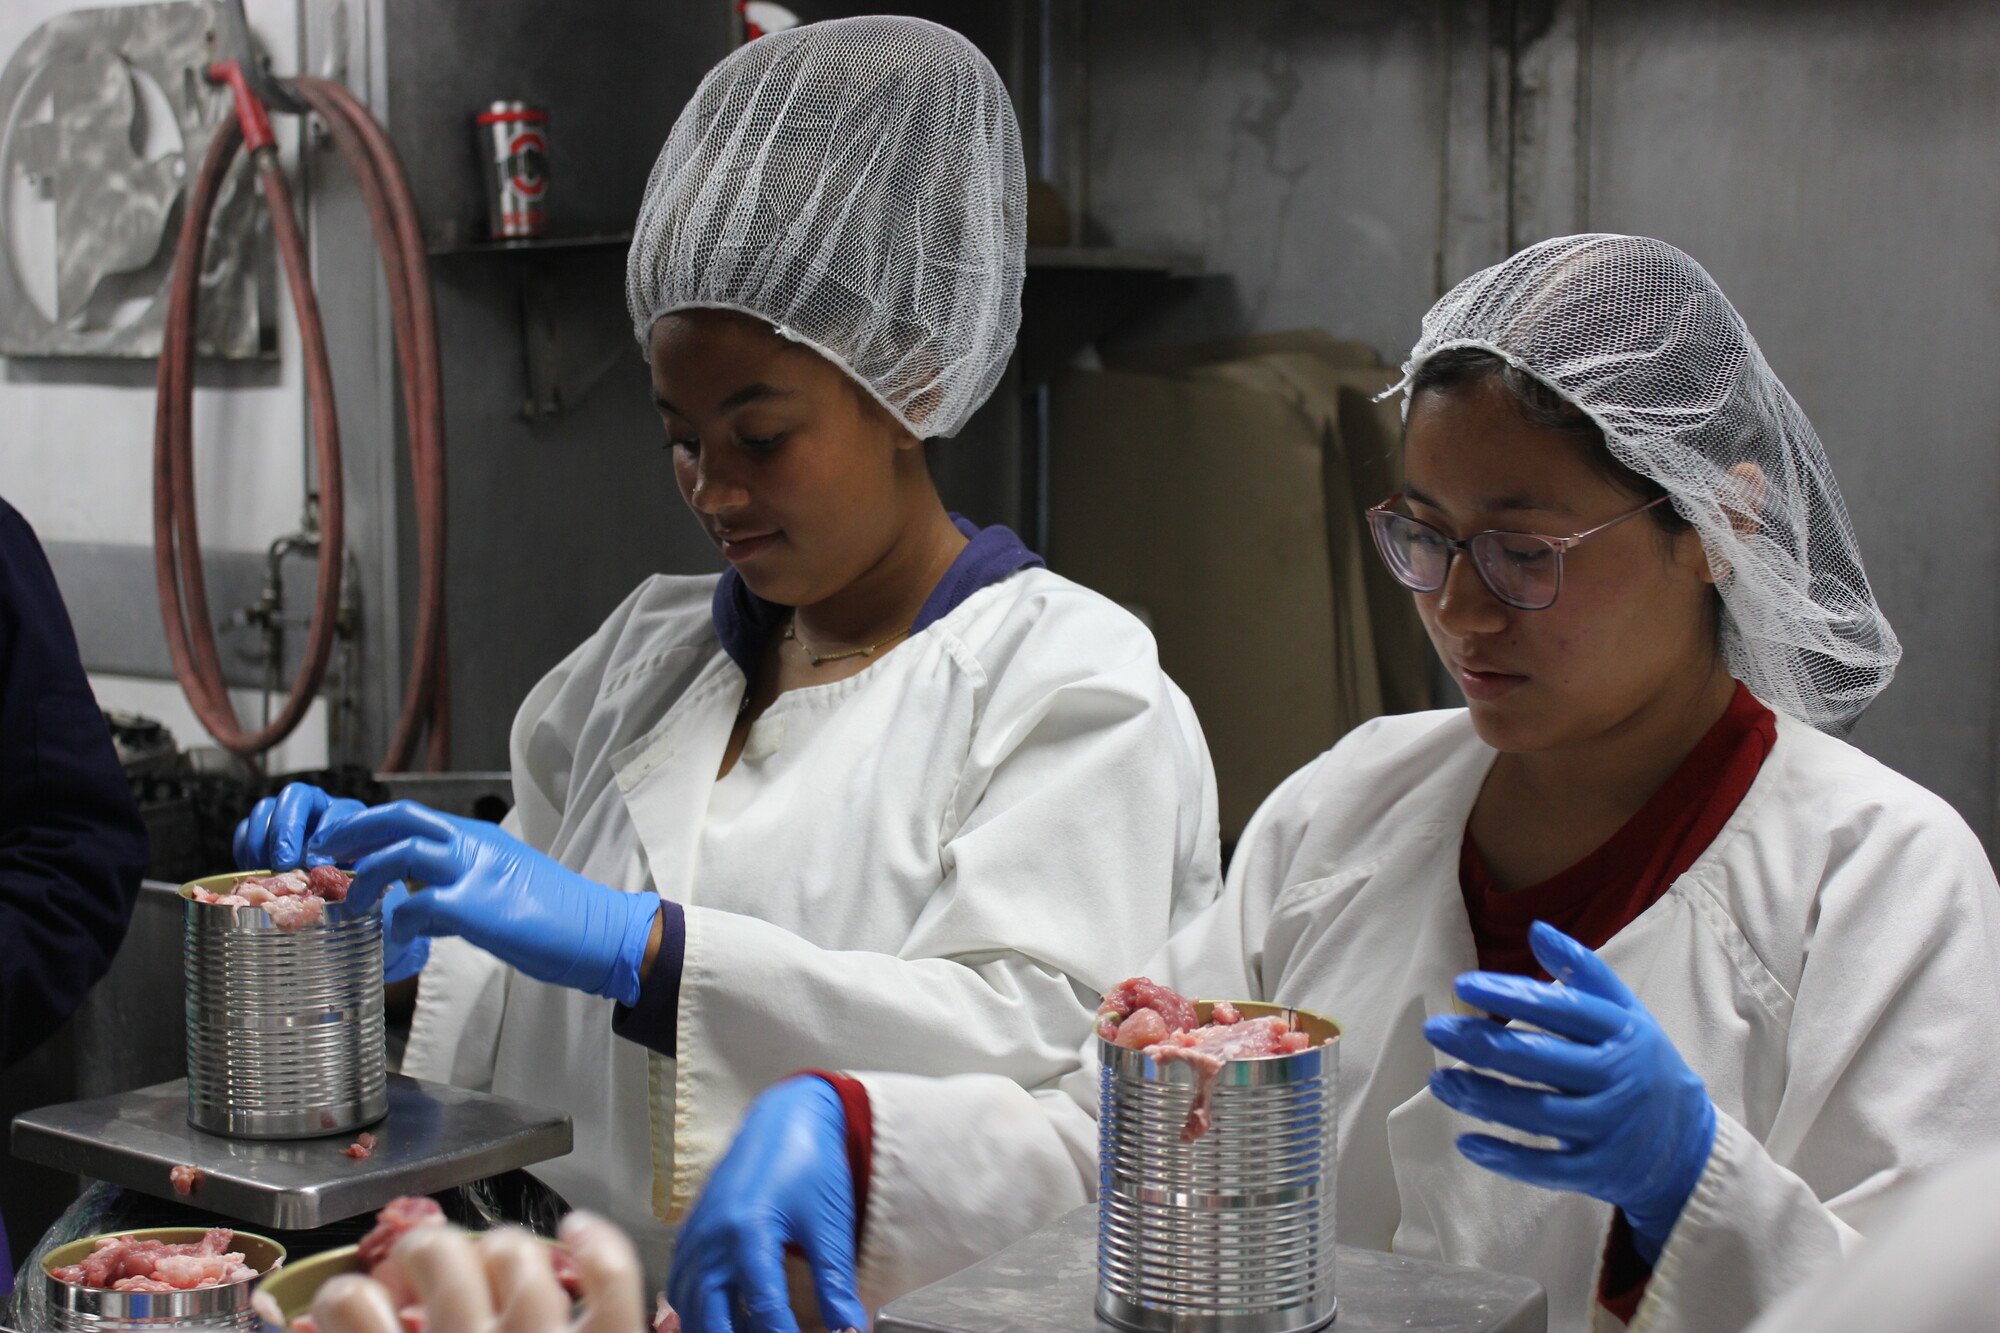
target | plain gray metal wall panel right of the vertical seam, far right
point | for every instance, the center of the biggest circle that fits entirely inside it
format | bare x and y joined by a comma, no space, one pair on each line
1835,169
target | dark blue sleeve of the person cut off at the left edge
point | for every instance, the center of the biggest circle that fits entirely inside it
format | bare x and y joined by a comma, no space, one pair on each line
73,846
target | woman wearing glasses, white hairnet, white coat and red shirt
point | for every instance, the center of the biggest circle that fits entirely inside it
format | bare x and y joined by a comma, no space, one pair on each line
1779,962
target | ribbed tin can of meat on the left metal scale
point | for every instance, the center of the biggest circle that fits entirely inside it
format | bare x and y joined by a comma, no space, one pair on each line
285,1028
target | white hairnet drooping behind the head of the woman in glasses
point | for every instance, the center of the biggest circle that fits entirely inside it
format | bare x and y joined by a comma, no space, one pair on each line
1637,335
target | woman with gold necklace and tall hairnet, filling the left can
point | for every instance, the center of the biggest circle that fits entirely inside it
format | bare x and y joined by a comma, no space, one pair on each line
887,794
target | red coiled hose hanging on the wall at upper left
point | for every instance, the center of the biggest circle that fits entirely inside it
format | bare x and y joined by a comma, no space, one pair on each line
177,541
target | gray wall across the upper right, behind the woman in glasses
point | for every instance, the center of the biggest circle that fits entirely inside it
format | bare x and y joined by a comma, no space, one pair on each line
1833,165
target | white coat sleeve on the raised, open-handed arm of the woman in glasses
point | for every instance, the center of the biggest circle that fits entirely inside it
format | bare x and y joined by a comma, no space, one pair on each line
1893,1072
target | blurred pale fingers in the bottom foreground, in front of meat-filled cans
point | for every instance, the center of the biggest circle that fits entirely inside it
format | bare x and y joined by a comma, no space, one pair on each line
501,1284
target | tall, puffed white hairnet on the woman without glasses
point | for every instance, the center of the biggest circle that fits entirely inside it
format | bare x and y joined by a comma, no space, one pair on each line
857,185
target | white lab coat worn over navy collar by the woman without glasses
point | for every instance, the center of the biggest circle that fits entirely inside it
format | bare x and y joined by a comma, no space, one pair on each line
929,868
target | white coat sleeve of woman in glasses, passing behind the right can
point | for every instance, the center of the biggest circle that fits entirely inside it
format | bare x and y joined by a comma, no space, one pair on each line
967,1166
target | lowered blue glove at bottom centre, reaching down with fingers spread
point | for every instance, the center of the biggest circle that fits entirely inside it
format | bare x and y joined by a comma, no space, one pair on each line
785,1182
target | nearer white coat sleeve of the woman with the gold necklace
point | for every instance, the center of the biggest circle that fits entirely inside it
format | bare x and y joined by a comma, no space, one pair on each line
1085,812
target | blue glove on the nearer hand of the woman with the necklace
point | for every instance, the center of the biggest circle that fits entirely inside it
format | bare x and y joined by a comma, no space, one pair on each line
493,890
